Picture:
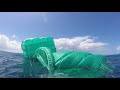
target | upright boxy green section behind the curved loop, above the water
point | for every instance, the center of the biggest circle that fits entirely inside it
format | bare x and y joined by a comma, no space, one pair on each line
29,46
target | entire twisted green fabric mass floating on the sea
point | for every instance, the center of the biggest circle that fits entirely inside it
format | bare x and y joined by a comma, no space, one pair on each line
42,52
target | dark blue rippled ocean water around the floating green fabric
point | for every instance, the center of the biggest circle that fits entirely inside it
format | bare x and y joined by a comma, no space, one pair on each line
11,66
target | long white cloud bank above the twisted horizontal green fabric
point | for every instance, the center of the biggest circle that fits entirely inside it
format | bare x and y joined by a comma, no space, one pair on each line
85,43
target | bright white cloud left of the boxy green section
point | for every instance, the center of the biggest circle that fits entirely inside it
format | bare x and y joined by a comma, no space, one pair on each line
9,45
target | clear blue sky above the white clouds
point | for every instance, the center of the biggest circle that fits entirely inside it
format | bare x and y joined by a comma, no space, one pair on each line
105,26
